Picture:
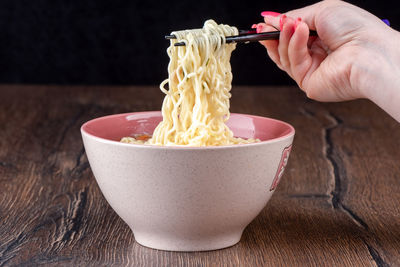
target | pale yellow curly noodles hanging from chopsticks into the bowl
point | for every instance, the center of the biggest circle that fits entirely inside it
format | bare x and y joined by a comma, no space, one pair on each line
196,103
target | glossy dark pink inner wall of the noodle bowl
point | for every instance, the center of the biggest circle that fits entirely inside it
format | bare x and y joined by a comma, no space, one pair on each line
114,127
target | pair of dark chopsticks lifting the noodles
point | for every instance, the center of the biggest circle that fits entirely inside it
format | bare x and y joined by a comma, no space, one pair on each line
247,36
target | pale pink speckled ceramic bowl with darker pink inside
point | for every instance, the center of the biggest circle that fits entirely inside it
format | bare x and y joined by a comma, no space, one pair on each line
186,198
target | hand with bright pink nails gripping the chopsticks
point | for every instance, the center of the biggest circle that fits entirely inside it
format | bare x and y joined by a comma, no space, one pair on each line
355,55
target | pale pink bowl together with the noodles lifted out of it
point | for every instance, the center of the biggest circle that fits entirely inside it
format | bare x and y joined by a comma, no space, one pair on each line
187,182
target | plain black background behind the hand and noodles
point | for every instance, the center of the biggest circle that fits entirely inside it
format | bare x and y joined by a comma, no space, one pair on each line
122,42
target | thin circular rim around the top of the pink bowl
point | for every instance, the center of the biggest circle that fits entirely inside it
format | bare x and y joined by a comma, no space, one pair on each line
112,142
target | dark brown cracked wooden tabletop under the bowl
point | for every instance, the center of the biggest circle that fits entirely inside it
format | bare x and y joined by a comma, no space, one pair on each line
337,204
